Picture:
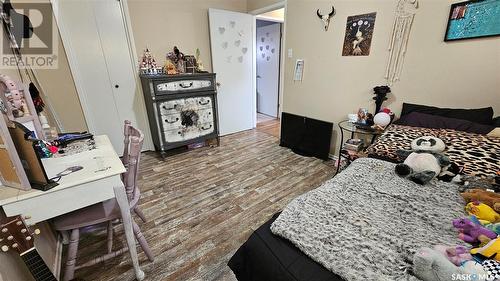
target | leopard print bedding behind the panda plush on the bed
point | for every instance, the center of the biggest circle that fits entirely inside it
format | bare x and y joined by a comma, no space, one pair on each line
479,155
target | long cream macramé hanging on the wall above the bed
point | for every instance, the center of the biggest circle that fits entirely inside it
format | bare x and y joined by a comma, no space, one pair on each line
405,13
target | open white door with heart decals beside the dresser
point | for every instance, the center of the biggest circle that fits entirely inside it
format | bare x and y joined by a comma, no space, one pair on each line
232,41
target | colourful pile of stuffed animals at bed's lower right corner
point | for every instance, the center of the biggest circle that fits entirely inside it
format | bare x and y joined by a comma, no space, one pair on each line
481,230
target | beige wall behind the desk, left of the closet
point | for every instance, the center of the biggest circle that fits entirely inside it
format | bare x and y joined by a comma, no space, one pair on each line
60,89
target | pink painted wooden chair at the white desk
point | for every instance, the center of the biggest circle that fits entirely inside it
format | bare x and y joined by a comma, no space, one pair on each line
108,211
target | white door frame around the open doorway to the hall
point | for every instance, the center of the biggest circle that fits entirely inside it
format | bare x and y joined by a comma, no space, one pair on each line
272,7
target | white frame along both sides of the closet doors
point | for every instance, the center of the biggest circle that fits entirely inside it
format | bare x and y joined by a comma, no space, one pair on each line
75,69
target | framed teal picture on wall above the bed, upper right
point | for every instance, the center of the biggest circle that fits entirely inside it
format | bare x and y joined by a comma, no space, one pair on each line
473,19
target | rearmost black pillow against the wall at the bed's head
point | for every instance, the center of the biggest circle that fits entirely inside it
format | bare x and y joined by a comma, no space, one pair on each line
480,115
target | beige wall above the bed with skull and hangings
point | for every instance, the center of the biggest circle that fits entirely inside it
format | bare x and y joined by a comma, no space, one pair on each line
455,74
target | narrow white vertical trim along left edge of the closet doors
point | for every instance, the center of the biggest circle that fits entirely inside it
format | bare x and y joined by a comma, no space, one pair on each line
82,95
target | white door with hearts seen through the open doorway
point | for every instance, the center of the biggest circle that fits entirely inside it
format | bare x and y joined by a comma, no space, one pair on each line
268,68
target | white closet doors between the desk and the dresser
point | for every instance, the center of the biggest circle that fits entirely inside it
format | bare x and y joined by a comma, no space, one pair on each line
93,33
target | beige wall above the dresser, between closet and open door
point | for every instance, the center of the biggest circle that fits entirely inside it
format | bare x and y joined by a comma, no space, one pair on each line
161,25
